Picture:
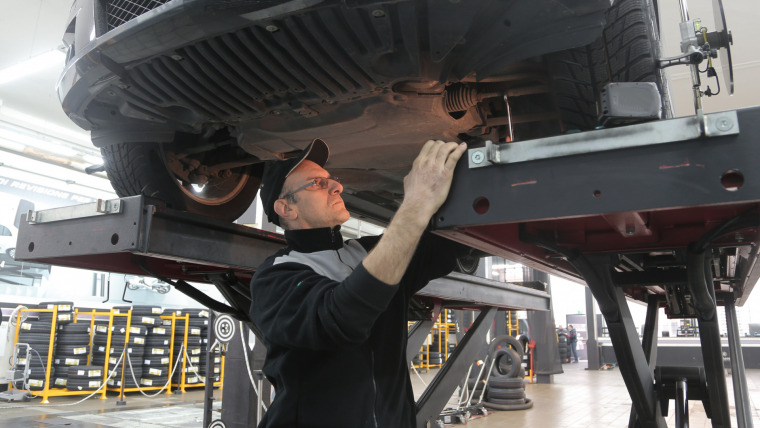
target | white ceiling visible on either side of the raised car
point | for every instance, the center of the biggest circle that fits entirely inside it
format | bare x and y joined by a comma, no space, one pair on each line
31,27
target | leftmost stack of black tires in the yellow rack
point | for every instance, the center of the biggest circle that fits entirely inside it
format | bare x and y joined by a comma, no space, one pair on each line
35,333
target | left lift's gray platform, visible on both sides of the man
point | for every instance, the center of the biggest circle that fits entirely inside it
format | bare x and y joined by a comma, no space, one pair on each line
70,234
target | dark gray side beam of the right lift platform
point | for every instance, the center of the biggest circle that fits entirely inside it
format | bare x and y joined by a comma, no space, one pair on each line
651,177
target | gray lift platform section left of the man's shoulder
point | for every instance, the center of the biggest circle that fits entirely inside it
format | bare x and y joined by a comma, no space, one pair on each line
142,229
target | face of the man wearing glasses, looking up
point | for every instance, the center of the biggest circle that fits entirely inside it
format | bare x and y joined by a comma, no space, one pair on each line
314,208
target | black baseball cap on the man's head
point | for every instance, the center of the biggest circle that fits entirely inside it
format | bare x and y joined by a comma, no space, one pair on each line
276,172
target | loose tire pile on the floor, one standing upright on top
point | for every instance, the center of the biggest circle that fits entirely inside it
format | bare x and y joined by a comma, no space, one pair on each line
506,388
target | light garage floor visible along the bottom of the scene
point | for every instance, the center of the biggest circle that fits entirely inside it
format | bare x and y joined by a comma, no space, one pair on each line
577,398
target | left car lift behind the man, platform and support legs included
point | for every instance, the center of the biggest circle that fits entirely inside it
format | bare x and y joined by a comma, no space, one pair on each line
141,237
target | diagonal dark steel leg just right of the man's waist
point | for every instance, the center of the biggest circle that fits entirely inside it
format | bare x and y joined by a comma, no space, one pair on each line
438,393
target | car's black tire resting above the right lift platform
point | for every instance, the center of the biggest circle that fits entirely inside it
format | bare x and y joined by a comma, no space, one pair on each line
627,52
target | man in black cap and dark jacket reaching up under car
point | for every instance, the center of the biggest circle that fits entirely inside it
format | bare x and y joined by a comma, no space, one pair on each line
333,314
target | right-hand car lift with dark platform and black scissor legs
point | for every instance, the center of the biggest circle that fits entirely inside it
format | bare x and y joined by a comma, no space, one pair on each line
663,212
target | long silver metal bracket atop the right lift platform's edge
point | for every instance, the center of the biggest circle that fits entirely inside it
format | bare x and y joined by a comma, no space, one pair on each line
645,134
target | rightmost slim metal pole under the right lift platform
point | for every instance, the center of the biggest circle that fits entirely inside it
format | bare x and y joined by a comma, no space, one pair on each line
739,378
